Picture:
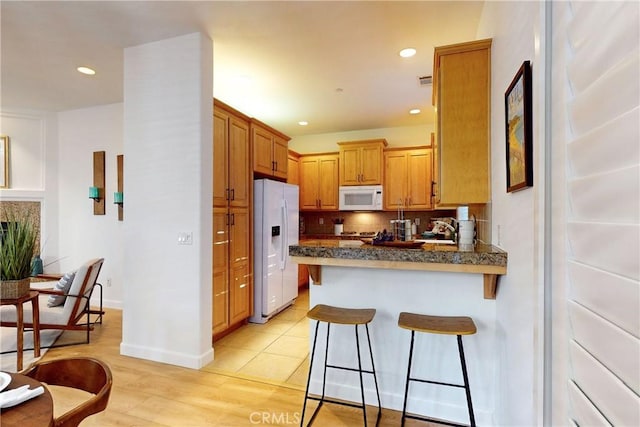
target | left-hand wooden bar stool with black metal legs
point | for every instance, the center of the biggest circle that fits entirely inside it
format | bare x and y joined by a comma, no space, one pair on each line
341,316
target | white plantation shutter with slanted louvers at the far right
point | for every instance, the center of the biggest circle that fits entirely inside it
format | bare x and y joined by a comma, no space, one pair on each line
599,92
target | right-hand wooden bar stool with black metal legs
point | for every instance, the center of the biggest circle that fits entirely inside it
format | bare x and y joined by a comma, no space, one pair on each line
447,325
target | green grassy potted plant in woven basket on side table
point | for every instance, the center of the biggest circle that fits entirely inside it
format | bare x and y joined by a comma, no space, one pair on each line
17,246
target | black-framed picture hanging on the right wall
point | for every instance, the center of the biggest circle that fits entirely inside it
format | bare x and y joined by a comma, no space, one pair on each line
517,104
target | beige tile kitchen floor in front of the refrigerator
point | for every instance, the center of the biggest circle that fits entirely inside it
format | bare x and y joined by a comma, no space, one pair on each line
277,351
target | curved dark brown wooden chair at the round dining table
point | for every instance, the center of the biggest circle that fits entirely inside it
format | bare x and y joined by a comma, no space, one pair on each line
83,373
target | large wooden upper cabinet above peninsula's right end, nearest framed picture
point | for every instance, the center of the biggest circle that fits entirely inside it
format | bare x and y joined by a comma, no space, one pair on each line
461,95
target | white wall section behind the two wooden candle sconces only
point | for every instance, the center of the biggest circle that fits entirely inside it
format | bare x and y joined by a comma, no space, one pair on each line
84,235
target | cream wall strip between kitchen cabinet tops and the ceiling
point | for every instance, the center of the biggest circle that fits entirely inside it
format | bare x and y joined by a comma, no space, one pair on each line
396,137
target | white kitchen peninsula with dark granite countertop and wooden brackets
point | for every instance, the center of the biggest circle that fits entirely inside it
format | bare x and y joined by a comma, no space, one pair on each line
431,279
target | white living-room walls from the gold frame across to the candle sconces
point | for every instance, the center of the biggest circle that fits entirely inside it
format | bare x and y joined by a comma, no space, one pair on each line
52,162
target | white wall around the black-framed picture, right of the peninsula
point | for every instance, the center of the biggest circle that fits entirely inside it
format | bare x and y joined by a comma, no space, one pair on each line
516,219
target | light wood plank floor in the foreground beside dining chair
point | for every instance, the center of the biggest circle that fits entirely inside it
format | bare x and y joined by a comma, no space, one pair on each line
147,393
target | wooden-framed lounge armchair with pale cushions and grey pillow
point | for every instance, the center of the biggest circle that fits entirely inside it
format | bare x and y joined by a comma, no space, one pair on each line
75,313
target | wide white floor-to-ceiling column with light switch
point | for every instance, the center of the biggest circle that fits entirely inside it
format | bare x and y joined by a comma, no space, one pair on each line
168,89
